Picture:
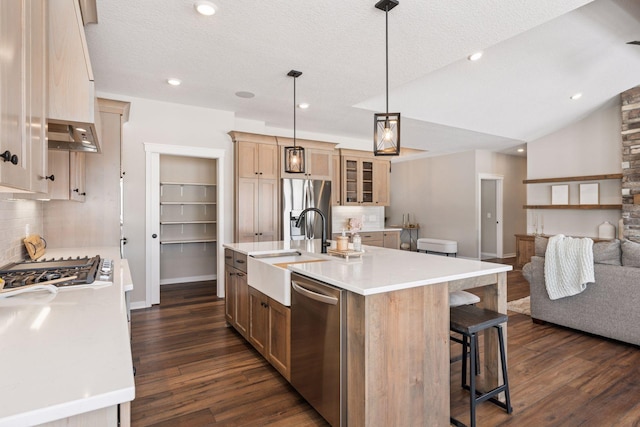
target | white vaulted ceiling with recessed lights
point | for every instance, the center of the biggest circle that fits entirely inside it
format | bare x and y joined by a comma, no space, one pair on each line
536,54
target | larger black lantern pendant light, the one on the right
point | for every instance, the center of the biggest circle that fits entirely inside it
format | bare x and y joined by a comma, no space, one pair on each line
386,126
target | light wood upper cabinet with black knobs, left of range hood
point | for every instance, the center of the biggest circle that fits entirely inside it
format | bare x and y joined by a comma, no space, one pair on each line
23,106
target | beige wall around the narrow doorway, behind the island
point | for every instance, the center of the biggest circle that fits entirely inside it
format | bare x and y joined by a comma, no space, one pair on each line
440,193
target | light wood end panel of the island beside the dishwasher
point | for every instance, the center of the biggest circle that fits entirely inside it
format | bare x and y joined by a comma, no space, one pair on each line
398,359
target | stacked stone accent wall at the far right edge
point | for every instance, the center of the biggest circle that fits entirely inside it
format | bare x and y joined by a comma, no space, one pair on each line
631,163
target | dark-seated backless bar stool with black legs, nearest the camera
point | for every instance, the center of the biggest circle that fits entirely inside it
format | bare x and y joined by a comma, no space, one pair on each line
468,320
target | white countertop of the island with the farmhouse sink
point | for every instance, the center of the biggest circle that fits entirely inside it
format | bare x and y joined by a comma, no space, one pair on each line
379,269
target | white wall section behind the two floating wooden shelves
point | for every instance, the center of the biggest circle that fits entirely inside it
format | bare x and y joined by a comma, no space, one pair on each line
591,146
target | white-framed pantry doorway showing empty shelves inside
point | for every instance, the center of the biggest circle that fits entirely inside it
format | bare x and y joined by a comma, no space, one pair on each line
184,221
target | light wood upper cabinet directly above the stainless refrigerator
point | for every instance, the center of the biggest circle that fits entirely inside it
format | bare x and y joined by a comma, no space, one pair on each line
318,159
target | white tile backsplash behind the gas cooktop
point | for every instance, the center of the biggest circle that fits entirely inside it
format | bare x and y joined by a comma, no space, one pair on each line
15,217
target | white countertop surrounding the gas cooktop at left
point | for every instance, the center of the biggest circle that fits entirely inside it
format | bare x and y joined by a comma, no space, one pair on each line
67,353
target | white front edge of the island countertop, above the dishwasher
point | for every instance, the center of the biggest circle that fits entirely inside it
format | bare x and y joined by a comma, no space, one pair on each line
298,268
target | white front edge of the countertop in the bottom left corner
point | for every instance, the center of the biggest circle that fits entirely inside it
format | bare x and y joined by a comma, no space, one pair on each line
69,409
